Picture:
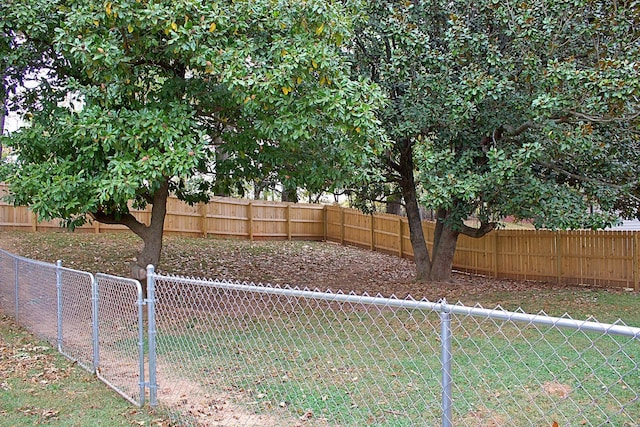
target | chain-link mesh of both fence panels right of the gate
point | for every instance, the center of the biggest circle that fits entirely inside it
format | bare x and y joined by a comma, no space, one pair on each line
253,355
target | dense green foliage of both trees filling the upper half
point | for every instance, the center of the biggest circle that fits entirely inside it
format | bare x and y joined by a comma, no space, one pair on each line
494,108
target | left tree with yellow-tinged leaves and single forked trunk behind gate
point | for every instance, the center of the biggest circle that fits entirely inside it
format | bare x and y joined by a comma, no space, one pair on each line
166,85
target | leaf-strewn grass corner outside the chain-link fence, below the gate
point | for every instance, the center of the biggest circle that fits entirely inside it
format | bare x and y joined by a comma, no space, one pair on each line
39,386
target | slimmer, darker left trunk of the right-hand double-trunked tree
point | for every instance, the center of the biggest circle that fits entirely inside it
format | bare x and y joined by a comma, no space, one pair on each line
408,187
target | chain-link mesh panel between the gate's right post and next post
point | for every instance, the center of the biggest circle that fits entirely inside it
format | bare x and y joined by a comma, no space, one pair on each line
233,357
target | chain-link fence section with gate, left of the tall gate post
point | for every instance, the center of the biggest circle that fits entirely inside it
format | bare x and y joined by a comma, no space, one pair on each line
95,321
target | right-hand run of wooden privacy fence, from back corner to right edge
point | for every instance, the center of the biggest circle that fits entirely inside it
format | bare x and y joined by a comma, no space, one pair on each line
603,258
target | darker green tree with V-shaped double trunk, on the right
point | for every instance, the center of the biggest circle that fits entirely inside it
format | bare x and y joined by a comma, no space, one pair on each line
500,108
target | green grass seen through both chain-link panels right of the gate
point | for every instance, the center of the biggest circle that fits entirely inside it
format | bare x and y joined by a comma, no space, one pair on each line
362,369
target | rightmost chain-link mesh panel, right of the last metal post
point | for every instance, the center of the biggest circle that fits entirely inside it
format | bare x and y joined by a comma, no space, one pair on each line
508,373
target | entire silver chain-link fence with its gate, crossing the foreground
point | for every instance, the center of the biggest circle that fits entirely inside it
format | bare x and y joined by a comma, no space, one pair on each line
222,353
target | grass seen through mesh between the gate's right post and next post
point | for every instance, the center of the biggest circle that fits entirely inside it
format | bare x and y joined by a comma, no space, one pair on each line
315,361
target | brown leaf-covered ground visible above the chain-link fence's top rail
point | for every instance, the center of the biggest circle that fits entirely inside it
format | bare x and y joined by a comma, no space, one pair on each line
314,265
